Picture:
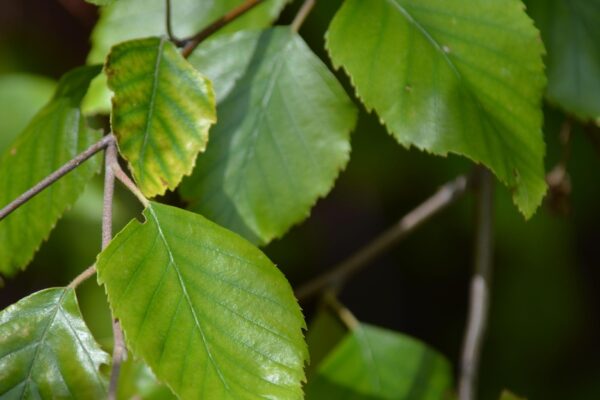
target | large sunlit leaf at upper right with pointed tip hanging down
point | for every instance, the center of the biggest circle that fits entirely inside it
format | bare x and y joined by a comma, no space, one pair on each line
452,76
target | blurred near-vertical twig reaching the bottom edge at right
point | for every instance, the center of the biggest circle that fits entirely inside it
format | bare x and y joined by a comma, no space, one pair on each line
480,288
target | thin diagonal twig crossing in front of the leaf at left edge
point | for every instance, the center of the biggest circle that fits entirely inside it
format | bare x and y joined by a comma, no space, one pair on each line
56,175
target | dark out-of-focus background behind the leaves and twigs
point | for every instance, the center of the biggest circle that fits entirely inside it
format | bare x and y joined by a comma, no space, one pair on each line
544,326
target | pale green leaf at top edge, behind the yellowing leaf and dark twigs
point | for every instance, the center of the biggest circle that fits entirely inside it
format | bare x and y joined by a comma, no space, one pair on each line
131,19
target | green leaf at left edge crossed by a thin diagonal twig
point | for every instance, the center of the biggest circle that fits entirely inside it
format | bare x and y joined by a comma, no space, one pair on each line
55,135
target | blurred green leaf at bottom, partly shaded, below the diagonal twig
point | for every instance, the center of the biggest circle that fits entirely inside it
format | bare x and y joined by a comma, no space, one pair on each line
374,363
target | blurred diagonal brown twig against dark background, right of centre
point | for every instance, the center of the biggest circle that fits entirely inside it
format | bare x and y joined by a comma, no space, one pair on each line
336,277
